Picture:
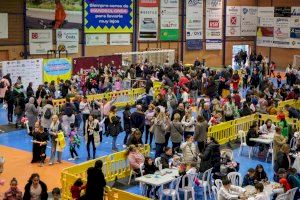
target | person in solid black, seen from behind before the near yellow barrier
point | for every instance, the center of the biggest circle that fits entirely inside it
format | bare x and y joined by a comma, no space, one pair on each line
95,183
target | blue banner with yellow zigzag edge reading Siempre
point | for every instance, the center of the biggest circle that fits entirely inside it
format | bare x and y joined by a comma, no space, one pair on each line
108,16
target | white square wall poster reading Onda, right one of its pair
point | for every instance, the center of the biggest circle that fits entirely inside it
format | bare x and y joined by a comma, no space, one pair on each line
68,39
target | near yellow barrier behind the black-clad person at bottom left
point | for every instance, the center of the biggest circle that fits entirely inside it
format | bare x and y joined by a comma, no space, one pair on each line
115,166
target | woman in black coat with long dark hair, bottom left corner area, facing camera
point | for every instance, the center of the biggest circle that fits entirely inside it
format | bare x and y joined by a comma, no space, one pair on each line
39,186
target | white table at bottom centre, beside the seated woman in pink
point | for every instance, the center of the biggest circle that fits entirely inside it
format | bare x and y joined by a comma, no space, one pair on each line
160,177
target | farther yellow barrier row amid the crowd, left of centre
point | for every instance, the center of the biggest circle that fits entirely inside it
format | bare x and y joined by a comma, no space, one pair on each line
124,97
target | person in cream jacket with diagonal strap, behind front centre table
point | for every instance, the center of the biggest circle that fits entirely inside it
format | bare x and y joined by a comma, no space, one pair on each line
189,150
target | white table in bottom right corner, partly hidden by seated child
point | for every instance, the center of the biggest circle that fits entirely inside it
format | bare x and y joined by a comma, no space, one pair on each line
269,188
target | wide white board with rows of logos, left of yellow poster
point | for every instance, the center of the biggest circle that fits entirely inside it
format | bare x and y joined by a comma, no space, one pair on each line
31,70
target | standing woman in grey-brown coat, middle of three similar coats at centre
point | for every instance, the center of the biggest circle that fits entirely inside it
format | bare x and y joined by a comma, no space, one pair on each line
176,130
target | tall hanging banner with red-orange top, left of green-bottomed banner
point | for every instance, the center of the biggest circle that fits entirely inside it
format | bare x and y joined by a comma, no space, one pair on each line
148,20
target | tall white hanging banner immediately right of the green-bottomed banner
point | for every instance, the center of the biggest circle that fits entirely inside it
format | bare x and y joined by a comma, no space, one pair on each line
194,21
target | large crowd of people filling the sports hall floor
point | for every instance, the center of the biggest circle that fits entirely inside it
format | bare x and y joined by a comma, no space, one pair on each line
190,100
